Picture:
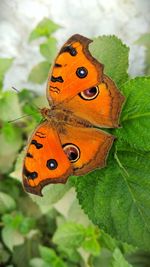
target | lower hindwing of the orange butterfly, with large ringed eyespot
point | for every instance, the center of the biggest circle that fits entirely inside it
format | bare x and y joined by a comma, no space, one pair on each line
87,148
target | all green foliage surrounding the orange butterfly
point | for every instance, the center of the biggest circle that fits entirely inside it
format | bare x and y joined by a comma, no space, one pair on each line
113,226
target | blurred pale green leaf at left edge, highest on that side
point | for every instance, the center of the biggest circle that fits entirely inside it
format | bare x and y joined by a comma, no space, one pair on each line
5,64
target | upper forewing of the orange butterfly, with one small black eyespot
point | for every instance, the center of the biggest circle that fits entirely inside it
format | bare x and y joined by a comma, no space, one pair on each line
74,70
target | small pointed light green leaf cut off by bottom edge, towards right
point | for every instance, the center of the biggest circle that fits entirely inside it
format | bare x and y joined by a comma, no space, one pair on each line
118,260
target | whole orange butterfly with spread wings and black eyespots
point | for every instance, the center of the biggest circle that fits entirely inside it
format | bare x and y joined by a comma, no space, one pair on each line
82,100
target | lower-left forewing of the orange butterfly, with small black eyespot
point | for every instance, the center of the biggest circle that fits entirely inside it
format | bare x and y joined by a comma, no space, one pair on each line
45,161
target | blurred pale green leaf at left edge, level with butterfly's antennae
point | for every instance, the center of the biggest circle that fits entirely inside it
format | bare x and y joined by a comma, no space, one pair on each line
9,106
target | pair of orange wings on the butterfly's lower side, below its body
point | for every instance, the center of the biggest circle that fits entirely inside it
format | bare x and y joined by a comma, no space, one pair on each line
53,155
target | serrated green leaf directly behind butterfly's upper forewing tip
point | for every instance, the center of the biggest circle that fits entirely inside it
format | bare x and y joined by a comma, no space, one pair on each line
111,52
